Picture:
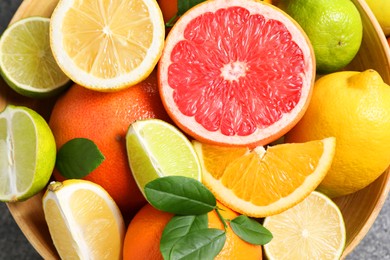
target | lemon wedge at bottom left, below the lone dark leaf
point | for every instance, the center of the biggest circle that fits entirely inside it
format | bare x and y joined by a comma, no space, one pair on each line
83,220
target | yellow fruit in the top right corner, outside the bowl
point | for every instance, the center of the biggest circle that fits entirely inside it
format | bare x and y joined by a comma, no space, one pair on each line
381,10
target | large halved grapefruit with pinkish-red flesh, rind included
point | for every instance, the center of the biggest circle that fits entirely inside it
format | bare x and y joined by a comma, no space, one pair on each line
236,72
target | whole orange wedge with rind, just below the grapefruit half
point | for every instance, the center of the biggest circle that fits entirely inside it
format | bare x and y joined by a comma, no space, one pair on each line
261,182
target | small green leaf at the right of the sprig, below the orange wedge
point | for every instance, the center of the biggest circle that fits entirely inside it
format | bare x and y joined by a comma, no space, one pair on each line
250,230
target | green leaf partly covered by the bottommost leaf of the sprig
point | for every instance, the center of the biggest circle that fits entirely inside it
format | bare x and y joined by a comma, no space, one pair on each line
178,227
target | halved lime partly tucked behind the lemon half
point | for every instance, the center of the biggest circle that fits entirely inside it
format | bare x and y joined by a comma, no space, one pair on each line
26,61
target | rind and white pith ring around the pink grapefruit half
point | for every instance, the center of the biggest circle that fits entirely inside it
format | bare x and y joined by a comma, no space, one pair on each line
261,136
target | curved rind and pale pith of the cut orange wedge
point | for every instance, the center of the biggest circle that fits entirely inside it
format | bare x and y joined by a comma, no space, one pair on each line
229,198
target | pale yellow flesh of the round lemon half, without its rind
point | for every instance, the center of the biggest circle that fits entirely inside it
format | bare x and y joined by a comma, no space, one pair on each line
107,48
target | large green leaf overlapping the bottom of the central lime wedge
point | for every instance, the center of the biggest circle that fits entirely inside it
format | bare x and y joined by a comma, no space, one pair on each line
180,195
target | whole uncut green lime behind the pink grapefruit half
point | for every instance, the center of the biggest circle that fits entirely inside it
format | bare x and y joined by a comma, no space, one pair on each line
334,28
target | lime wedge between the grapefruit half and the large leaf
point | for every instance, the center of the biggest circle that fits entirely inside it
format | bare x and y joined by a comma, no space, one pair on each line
156,149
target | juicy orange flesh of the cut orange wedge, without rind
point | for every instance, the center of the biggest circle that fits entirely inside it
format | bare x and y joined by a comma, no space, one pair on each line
259,179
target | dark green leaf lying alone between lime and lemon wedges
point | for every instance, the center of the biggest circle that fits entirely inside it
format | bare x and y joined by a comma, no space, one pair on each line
78,157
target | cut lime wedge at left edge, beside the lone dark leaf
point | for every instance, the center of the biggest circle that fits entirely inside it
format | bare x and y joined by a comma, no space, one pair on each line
27,153
